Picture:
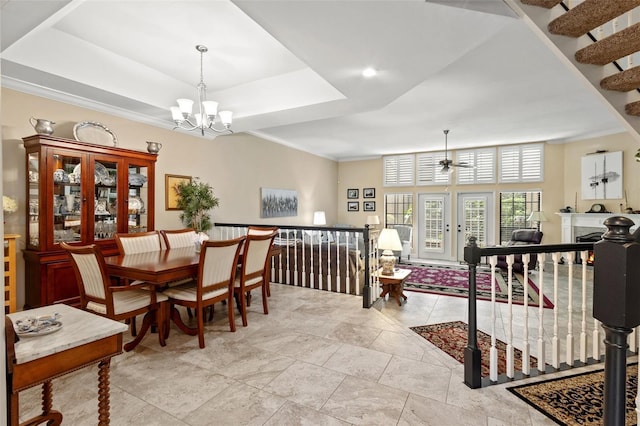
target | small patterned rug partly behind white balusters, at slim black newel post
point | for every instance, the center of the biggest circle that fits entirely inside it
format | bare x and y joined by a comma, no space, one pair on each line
451,337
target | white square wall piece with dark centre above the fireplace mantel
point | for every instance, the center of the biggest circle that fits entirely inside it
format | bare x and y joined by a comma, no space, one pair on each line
602,176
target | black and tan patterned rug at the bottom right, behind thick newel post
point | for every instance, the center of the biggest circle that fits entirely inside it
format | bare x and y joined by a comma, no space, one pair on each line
577,400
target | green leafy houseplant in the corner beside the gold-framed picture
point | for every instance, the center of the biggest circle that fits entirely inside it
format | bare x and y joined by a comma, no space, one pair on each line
195,199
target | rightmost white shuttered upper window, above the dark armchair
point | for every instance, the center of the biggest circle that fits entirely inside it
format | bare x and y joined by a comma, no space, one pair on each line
522,163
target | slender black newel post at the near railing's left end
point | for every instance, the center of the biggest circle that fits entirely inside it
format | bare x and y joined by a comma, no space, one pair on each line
472,355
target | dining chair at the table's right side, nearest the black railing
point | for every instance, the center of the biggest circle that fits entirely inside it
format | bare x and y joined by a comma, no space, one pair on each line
254,271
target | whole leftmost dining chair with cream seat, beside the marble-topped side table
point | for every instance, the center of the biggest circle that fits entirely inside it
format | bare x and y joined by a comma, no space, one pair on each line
118,303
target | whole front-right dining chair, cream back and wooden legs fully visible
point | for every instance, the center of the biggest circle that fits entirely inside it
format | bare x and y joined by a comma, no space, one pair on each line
216,277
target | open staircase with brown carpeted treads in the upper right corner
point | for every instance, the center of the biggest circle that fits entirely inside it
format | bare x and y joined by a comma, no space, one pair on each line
599,40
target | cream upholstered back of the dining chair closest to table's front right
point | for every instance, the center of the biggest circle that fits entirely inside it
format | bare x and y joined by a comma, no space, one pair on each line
218,261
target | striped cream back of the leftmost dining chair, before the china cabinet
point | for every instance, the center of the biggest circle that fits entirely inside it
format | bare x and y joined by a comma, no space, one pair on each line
90,269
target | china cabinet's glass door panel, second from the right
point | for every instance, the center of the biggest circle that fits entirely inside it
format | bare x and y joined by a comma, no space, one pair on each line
105,200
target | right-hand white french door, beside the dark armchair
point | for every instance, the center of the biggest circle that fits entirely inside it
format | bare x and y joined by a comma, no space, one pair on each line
475,218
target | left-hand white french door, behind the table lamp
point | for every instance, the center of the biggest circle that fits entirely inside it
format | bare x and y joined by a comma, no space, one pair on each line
434,227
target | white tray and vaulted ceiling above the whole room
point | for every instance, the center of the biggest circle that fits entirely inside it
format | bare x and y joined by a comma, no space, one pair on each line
292,70
